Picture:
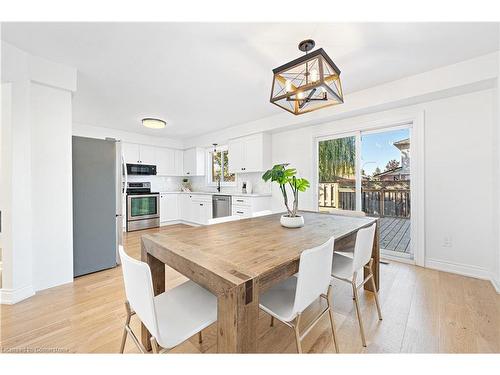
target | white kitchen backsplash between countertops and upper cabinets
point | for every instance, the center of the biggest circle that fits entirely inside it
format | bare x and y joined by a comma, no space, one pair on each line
199,183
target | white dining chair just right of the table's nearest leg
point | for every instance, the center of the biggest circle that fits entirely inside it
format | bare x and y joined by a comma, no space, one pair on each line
287,300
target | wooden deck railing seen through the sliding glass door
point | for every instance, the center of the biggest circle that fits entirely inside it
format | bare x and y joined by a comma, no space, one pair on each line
377,202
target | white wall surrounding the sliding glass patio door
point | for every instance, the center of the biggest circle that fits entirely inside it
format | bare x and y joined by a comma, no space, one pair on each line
459,190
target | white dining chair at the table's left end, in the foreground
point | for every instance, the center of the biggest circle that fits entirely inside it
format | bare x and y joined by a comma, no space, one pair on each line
171,317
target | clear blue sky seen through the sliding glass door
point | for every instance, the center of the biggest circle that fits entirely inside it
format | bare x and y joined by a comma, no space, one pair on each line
377,149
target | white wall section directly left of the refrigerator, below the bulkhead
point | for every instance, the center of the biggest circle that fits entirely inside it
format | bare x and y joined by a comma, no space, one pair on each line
51,181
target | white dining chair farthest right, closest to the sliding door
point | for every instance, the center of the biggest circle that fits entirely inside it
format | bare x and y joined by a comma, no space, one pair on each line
347,268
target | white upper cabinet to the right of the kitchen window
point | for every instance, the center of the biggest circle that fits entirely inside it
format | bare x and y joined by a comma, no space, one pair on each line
250,154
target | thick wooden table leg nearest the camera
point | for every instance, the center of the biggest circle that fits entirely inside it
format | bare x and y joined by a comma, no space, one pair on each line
237,317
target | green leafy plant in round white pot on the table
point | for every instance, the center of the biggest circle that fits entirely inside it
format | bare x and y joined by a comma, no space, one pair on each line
286,177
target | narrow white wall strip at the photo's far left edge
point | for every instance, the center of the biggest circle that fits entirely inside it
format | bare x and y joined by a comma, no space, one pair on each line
16,188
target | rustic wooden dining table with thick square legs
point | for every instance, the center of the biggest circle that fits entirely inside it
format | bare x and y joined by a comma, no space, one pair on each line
238,260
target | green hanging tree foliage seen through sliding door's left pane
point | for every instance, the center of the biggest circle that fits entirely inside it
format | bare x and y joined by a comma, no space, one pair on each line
336,159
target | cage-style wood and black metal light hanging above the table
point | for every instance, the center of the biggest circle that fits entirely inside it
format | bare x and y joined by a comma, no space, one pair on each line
308,83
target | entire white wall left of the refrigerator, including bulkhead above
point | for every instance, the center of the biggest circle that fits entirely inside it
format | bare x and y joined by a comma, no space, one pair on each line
38,153
